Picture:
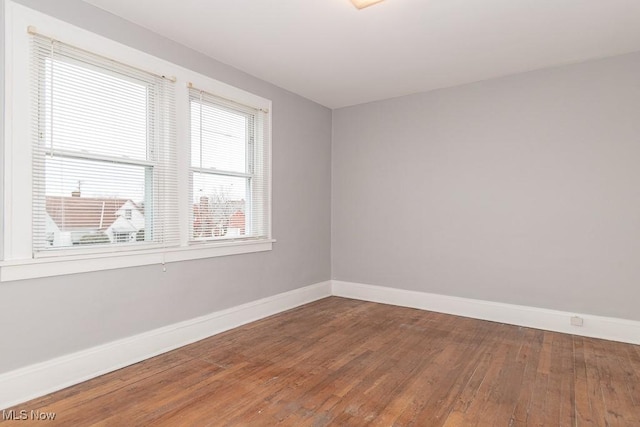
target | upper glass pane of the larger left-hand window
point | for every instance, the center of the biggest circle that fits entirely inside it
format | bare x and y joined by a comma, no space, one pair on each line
90,110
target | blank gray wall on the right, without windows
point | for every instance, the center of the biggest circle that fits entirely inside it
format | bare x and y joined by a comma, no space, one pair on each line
522,190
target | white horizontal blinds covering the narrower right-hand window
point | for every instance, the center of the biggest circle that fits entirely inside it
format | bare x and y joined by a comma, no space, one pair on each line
229,169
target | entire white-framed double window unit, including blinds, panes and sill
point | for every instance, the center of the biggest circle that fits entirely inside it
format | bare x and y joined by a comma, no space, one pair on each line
124,167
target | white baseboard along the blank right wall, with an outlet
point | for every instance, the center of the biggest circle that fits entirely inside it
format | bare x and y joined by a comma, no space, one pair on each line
608,328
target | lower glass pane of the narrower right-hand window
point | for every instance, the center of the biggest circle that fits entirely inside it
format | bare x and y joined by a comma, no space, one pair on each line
219,206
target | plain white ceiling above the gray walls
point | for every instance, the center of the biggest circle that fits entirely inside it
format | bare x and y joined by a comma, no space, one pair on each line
336,55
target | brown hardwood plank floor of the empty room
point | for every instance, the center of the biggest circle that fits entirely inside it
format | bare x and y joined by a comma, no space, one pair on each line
350,363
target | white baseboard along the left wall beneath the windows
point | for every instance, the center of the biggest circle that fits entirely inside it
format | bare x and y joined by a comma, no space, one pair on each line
39,379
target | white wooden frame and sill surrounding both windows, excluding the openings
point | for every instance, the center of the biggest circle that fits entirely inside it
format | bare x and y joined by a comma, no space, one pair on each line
18,260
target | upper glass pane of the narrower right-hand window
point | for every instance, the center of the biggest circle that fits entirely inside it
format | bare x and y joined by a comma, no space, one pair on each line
223,136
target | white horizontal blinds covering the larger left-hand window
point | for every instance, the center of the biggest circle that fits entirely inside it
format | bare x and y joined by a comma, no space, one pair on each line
104,159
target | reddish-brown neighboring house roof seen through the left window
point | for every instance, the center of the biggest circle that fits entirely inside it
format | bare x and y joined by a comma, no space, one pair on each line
82,213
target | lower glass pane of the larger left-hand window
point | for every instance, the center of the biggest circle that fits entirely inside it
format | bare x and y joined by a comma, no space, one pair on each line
93,203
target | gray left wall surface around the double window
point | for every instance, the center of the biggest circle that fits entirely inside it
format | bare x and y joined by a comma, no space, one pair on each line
45,318
